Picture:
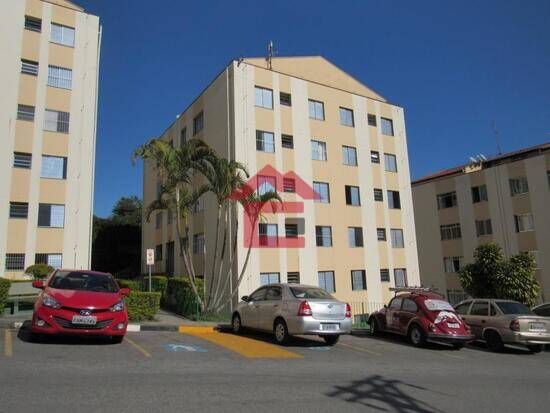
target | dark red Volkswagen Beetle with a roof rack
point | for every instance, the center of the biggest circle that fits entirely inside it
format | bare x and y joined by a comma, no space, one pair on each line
421,316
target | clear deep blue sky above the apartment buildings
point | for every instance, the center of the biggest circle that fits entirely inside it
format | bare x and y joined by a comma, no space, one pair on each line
454,66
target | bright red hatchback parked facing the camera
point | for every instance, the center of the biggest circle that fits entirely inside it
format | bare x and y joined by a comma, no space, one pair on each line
80,302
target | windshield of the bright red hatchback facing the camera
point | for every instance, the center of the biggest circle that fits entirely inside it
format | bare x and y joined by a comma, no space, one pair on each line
80,281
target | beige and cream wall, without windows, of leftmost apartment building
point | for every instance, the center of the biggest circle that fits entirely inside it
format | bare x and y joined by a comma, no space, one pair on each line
73,241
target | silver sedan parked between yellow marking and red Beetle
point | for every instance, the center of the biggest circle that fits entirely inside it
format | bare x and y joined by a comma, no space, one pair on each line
293,309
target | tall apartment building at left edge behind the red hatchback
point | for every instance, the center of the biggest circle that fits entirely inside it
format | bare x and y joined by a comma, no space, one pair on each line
48,104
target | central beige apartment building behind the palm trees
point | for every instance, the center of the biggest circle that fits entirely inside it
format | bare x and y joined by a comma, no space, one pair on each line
303,117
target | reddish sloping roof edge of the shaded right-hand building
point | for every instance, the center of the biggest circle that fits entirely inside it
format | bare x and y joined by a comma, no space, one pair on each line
496,160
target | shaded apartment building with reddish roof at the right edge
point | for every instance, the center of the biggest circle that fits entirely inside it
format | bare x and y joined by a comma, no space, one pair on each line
504,200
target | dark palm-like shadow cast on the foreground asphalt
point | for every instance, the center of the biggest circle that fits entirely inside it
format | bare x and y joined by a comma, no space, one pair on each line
378,393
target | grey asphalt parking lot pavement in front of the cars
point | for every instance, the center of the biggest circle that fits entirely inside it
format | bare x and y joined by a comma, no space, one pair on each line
203,370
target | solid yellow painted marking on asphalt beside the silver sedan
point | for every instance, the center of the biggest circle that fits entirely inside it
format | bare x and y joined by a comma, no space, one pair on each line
244,346
